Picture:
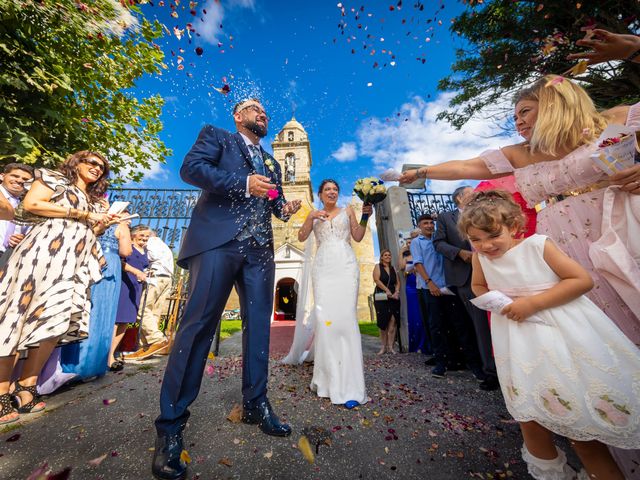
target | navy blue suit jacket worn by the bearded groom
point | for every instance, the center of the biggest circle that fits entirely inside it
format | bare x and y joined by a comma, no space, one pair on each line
219,163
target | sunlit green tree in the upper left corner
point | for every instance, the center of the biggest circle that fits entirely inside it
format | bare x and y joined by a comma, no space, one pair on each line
66,70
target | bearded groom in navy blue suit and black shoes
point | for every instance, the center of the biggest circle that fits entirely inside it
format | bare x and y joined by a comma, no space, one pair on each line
229,242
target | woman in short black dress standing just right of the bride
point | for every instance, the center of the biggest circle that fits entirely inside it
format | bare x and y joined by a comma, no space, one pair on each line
387,309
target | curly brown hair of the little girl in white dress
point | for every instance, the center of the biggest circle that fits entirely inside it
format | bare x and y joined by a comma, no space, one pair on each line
489,211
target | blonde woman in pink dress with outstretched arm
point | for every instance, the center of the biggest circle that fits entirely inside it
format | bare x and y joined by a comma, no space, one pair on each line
560,124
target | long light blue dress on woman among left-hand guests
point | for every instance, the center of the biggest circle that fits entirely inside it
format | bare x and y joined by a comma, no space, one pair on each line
89,357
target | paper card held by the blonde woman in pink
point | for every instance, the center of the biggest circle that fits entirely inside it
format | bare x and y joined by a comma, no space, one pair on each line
618,156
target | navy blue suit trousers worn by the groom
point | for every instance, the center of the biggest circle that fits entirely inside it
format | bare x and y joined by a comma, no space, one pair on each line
250,267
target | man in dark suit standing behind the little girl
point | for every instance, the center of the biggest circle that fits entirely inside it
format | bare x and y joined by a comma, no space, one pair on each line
456,250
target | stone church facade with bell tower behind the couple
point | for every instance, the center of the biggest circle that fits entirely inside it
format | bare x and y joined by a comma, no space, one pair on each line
292,150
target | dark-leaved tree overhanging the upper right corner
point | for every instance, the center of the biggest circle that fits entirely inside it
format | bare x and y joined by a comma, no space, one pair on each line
511,42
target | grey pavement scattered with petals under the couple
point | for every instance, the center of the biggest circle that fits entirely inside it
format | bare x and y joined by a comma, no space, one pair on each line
415,427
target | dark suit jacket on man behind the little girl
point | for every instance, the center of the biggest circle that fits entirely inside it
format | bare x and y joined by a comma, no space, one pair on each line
448,241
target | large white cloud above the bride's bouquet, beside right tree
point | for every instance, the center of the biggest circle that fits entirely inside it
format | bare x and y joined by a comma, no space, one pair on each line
413,135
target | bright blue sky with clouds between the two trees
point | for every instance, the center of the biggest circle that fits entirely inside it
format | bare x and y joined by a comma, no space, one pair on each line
364,88
